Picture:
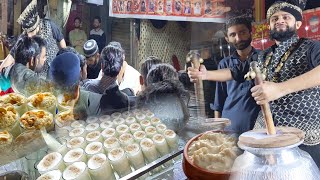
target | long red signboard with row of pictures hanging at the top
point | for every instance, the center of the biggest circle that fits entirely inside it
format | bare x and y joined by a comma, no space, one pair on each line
175,10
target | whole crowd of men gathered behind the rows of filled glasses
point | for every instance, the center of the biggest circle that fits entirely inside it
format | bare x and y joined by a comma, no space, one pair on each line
94,74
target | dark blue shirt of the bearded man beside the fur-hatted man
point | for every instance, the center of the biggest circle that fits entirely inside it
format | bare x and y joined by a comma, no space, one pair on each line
233,98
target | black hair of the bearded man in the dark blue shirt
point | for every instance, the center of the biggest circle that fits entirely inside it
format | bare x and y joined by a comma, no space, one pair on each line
236,19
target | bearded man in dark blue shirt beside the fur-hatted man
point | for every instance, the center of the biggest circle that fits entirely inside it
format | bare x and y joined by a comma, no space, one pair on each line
233,99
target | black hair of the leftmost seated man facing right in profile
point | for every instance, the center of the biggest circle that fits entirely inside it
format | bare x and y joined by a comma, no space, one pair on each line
28,48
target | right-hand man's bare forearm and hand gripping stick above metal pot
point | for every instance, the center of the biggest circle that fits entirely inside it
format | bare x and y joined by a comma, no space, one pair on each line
269,91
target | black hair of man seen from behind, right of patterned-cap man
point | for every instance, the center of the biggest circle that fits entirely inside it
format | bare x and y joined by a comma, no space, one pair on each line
112,58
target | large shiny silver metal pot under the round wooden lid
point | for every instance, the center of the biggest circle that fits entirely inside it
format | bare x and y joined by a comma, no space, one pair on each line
283,163
